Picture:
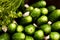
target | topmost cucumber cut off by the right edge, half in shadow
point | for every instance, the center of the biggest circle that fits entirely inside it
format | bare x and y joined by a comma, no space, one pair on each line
54,15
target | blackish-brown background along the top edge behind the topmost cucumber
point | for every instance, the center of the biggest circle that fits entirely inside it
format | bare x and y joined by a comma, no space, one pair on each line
49,2
